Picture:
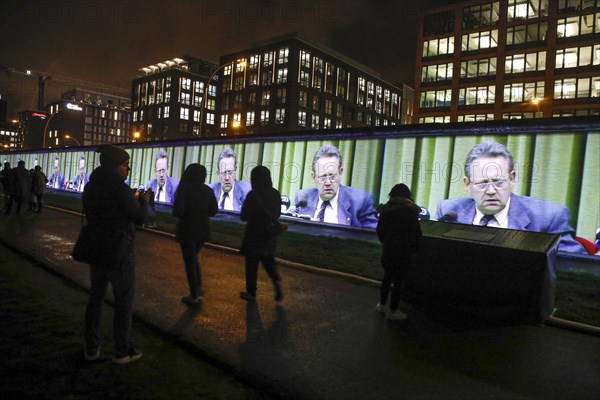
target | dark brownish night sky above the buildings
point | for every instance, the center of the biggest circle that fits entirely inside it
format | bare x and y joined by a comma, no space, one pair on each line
106,42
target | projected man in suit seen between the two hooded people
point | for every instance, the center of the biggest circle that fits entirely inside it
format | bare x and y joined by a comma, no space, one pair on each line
229,192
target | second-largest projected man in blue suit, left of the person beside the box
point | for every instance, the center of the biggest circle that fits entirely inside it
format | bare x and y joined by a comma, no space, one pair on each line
330,201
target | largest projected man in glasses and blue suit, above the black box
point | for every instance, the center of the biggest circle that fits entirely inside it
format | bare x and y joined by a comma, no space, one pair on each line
489,179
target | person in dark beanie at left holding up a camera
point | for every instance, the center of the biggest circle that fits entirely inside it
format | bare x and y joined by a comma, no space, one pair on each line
112,207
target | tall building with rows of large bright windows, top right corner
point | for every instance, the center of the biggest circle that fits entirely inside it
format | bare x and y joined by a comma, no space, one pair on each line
487,60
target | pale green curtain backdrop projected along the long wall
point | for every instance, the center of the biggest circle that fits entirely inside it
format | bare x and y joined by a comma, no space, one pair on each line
559,164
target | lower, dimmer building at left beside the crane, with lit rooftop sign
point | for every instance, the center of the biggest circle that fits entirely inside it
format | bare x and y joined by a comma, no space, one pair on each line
86,118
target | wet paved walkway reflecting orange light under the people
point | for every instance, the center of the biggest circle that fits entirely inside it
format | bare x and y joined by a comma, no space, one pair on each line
325,341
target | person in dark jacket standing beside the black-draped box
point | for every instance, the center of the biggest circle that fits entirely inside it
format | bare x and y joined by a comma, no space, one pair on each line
400,234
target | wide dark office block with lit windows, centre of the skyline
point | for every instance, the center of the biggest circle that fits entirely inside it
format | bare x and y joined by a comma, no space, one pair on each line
287,84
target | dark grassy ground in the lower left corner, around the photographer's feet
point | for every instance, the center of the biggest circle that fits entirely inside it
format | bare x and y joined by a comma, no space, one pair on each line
41,348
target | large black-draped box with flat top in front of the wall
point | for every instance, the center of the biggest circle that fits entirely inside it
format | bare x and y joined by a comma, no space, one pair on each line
495,274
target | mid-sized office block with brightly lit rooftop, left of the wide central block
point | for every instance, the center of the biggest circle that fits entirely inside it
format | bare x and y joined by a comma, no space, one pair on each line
167,98
